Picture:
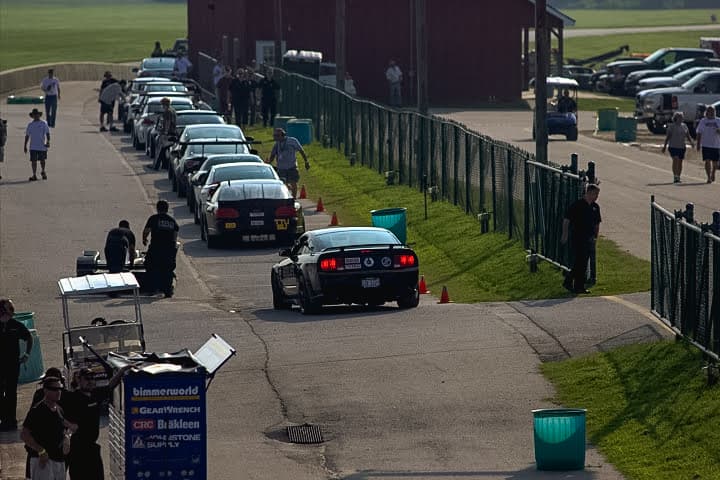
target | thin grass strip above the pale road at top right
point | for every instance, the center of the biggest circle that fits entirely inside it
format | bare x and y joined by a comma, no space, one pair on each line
640,18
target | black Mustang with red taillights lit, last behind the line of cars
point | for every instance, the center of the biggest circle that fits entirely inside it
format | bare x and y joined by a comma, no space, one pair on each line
362,265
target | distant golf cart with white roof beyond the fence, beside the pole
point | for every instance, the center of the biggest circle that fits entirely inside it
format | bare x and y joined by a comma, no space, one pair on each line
561,120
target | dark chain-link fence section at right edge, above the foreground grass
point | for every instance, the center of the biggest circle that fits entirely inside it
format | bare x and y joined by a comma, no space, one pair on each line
685,285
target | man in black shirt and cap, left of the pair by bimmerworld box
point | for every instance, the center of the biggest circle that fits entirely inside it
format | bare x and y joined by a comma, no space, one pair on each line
46,435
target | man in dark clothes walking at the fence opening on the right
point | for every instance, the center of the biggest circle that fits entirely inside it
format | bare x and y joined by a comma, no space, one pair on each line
580,221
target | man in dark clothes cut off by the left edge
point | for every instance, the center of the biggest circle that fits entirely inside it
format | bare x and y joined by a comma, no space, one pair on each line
11,332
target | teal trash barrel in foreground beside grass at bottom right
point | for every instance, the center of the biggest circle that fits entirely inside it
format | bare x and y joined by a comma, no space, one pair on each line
559,438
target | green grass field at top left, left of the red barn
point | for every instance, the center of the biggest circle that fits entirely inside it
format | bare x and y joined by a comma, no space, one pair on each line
54,31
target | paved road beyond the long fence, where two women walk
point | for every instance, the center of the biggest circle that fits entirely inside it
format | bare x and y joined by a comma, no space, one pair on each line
629,174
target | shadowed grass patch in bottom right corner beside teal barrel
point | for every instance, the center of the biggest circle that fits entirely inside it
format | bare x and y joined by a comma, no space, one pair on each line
650,410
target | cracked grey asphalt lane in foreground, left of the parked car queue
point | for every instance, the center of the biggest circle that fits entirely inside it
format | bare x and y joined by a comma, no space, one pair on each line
436,392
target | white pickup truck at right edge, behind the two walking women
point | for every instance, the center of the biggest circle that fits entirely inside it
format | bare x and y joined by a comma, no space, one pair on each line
656,107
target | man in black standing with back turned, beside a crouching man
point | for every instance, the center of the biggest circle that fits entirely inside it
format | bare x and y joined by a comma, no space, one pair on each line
160,257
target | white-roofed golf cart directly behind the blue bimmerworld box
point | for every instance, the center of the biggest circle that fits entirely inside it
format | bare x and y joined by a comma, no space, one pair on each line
87,344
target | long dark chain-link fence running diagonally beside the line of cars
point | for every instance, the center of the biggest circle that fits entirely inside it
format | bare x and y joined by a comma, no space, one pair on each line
525,199
